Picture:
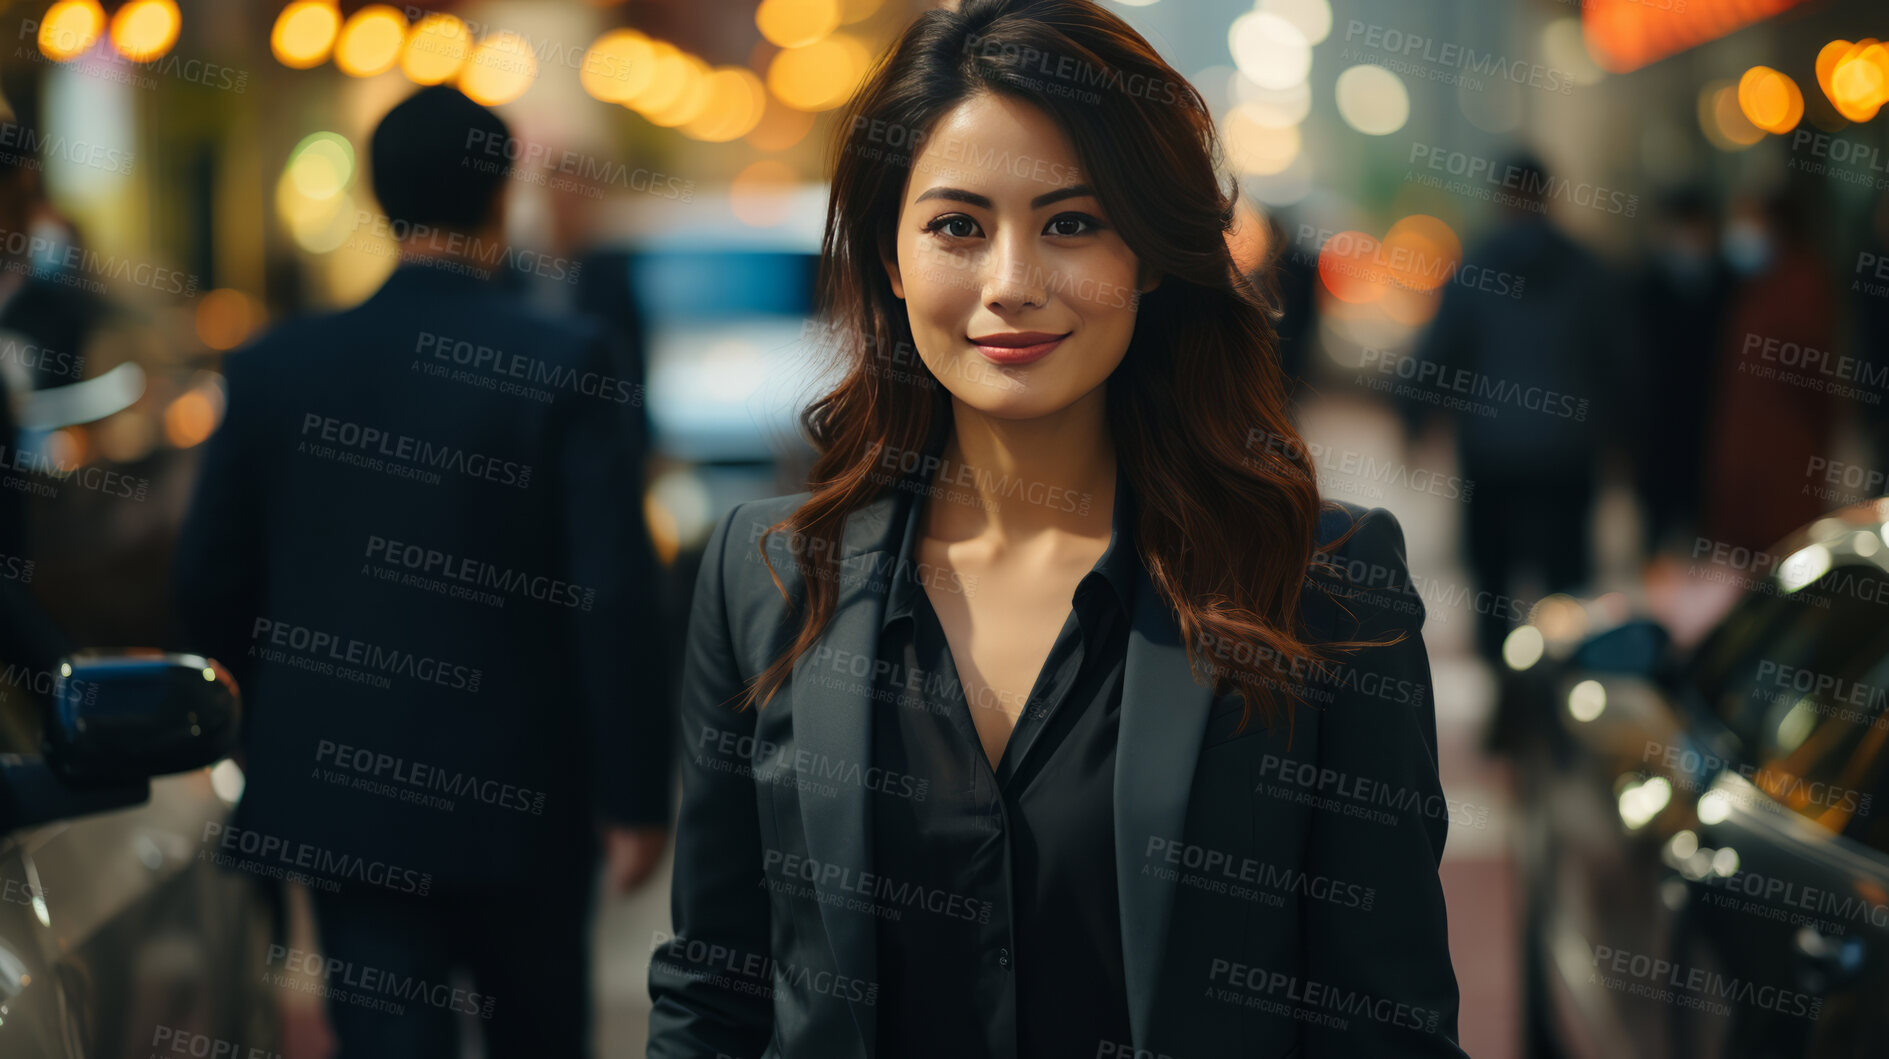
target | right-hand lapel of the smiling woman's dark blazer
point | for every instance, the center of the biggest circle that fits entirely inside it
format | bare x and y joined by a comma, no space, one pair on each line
1165,720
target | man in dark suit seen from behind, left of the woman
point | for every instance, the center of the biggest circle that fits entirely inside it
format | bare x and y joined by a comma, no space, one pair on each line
418,541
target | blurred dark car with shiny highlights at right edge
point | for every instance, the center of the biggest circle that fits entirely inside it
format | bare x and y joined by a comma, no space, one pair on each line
1707,833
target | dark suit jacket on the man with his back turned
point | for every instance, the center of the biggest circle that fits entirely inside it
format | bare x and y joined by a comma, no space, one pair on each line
537,716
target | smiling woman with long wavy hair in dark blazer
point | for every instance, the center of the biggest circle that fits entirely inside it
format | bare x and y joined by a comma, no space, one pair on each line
1061,718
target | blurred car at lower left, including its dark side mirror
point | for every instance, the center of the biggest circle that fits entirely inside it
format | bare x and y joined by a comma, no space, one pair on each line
118,937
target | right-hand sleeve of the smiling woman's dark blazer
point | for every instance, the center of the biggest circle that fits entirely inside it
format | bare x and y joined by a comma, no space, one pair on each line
1391,966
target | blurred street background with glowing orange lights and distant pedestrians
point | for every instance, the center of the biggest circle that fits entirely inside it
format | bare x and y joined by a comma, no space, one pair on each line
1591,295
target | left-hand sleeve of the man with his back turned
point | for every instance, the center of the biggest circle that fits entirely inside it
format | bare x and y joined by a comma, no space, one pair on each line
216,577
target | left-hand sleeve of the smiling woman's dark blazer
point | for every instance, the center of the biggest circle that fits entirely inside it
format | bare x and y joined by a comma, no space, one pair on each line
711,981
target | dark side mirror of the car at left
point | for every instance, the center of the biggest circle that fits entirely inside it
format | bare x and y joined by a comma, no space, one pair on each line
131,714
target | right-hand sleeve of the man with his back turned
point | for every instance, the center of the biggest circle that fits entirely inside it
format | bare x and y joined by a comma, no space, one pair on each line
622,648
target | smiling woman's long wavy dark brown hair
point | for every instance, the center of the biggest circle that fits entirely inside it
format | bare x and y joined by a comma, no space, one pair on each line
1225,528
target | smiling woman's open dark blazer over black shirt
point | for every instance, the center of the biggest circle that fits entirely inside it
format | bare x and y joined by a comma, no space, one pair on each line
1265,911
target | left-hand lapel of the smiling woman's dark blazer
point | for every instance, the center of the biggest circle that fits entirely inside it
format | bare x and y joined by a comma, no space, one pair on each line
832,722
